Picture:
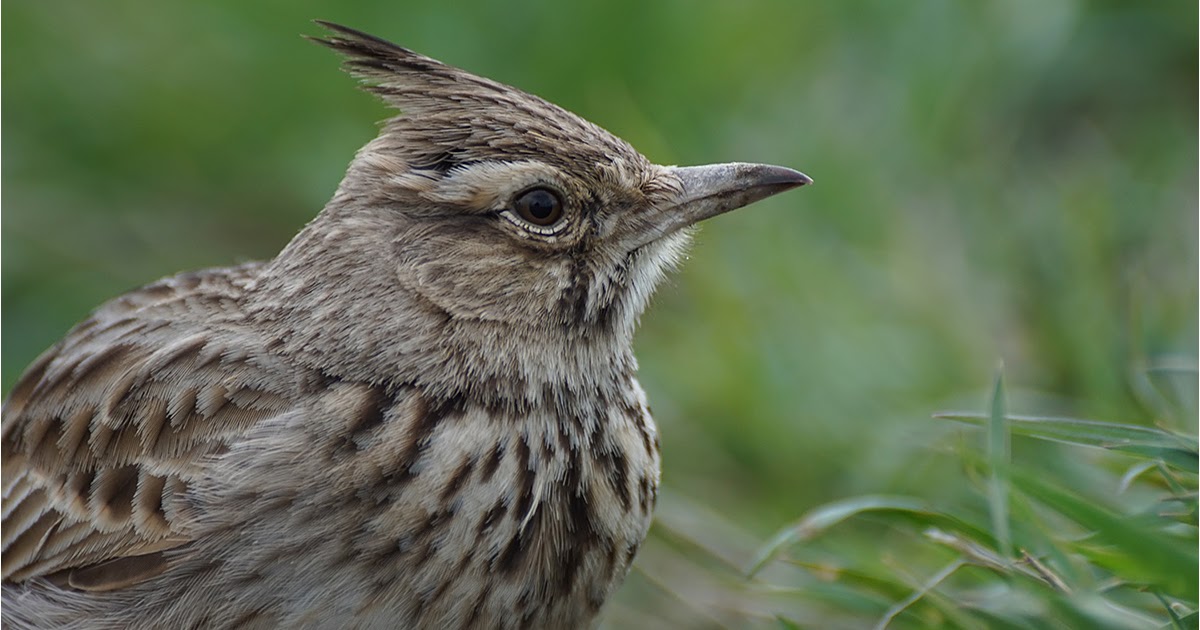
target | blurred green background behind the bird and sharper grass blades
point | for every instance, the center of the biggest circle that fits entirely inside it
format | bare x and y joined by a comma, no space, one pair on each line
1010,181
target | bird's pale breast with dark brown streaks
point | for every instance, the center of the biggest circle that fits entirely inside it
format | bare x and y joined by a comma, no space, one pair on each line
465,514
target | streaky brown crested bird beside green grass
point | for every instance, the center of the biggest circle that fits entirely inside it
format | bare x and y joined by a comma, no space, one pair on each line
424,412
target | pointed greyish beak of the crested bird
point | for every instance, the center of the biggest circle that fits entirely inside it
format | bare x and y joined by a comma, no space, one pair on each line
712,190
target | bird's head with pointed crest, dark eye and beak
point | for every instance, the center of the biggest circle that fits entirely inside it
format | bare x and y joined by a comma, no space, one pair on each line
493,208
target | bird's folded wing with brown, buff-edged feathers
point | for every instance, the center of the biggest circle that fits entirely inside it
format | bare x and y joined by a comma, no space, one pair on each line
104,434
